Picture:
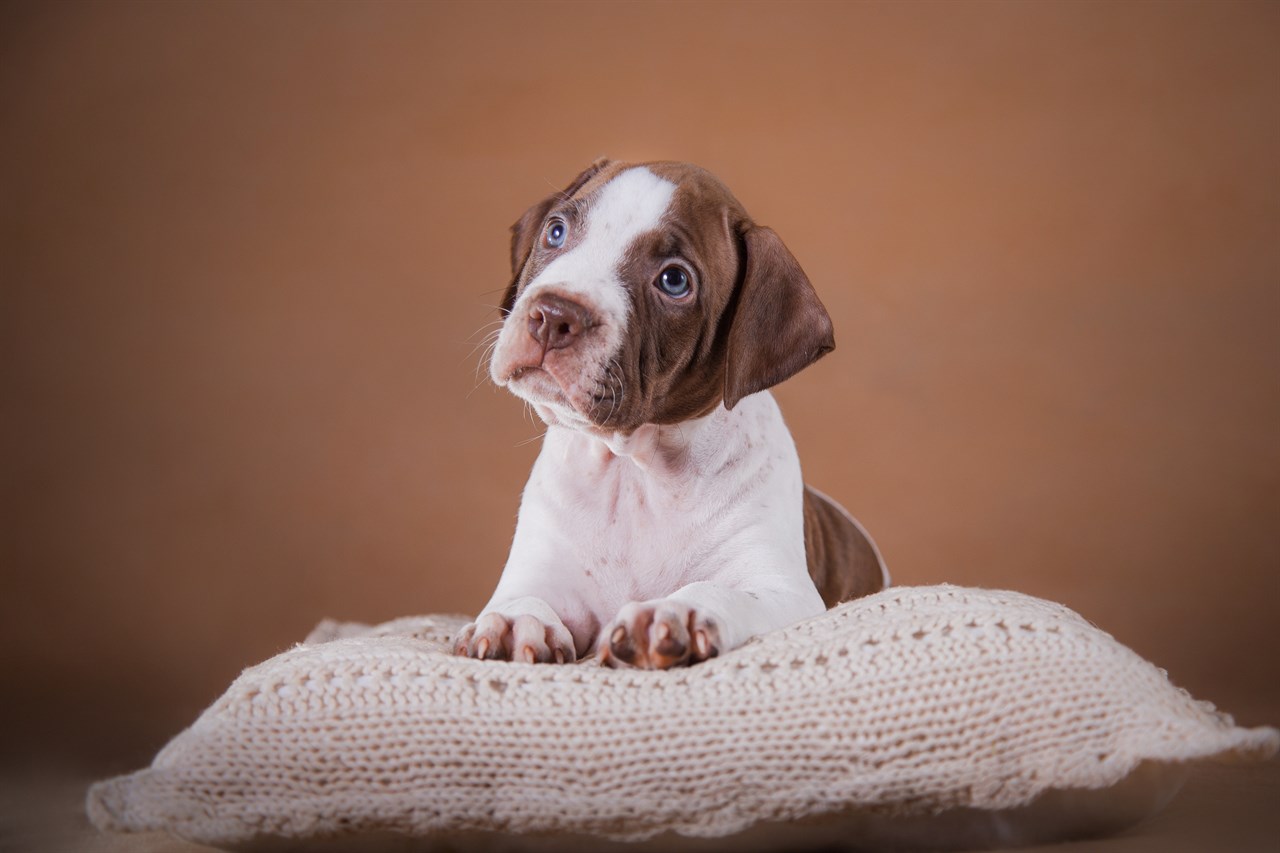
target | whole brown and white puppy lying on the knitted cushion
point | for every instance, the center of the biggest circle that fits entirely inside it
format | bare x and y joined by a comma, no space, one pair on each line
666,519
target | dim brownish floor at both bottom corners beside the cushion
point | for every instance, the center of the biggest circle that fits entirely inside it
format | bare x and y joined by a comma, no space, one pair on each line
1224,809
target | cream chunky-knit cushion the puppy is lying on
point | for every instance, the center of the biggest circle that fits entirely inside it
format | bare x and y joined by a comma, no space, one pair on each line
917,715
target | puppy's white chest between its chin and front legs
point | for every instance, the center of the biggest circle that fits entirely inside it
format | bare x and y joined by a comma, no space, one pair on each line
610,522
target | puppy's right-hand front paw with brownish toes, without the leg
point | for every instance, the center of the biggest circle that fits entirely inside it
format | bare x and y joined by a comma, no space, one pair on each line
659,636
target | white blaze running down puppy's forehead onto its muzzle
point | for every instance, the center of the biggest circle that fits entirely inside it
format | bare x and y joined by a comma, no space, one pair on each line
629,206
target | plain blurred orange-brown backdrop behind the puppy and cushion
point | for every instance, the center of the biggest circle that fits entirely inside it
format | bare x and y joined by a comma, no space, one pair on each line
248,250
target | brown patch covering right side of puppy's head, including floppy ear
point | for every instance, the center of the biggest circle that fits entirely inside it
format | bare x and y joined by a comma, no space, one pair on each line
752,321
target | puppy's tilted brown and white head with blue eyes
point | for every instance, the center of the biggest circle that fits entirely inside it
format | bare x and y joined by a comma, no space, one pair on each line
646,295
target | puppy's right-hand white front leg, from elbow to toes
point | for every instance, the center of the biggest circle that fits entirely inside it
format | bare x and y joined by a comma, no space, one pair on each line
702,621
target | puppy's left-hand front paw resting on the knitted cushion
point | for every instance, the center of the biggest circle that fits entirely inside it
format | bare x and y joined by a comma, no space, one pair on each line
523,630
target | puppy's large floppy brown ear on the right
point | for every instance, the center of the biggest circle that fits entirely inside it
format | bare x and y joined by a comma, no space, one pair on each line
779,327
